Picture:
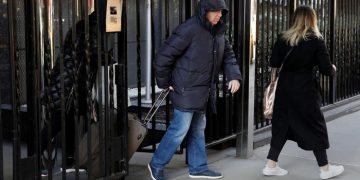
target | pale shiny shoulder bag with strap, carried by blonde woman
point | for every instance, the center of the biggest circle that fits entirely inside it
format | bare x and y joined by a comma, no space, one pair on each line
269,94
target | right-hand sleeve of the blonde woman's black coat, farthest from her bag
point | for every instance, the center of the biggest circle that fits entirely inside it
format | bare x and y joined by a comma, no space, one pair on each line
323,59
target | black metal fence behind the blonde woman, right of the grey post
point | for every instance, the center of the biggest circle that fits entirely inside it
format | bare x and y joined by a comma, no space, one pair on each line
341,38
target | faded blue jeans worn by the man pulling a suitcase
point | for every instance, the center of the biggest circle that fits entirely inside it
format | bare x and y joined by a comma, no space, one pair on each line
182,122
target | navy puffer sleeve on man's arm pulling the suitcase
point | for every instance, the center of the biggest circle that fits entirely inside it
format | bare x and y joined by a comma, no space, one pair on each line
172,48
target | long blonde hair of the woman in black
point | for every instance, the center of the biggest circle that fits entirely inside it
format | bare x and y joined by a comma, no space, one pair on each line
304,24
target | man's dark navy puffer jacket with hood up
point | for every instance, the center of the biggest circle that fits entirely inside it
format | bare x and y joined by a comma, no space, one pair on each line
192,57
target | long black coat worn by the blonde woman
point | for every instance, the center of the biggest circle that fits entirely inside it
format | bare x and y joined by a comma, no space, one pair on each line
297,115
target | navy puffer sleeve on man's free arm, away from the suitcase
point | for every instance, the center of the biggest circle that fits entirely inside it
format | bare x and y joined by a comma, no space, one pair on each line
231,68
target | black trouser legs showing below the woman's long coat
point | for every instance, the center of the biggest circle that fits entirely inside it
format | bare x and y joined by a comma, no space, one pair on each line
320,155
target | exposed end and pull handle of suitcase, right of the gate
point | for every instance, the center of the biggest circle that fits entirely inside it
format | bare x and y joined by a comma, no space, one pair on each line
138,130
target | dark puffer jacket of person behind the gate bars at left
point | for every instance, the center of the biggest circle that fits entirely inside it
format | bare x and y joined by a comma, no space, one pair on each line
81,67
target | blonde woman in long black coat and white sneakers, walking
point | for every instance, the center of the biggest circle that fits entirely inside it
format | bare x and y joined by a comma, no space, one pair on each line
297,115
